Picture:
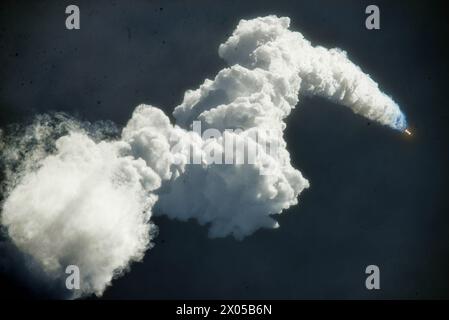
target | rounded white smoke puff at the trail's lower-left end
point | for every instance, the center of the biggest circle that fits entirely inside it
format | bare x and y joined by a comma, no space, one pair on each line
86,205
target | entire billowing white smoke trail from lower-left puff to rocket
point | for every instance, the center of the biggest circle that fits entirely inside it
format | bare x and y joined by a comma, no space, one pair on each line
78,199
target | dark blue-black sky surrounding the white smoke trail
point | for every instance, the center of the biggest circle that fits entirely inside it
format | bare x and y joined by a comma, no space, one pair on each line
376,196
